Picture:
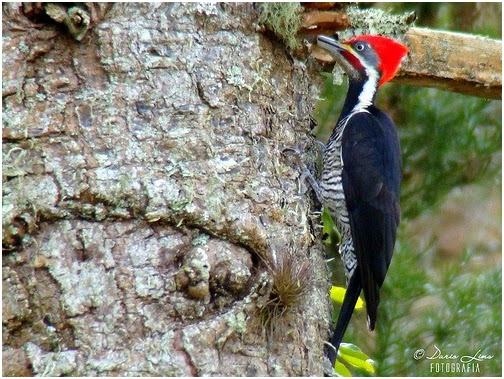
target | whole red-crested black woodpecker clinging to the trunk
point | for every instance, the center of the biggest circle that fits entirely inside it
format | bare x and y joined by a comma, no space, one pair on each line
361,173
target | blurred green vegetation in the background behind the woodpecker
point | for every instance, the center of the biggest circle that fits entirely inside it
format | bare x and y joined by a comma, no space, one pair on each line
444,286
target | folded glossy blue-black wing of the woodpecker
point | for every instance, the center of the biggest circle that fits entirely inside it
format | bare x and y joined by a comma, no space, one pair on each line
371,180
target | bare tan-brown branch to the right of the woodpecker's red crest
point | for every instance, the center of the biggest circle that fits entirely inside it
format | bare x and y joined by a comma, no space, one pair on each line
457,62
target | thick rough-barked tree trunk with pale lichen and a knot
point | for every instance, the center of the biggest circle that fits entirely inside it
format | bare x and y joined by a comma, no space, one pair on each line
143,188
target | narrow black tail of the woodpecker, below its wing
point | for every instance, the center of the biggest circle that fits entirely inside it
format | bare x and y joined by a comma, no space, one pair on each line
351,296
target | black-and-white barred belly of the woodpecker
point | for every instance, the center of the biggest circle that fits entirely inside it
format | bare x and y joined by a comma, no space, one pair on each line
333,197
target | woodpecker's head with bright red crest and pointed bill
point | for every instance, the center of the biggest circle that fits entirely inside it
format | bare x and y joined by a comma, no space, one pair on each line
367,55
